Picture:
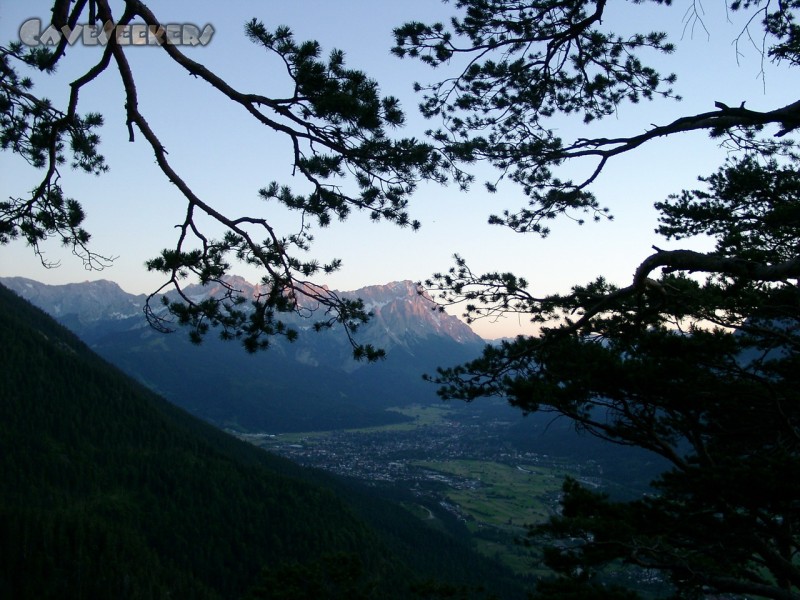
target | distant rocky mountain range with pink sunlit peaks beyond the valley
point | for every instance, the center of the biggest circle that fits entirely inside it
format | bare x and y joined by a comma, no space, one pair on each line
311,384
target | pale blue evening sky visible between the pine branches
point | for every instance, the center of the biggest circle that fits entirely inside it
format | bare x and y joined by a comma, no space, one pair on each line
224,156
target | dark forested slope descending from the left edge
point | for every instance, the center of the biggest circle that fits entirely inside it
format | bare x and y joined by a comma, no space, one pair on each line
109,491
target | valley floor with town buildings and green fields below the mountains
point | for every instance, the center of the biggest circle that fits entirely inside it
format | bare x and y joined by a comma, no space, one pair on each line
453,468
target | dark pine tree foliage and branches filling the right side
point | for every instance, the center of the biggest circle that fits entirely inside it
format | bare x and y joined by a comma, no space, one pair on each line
696,358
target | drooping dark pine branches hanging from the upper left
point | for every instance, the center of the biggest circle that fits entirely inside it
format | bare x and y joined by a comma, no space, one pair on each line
335,119
